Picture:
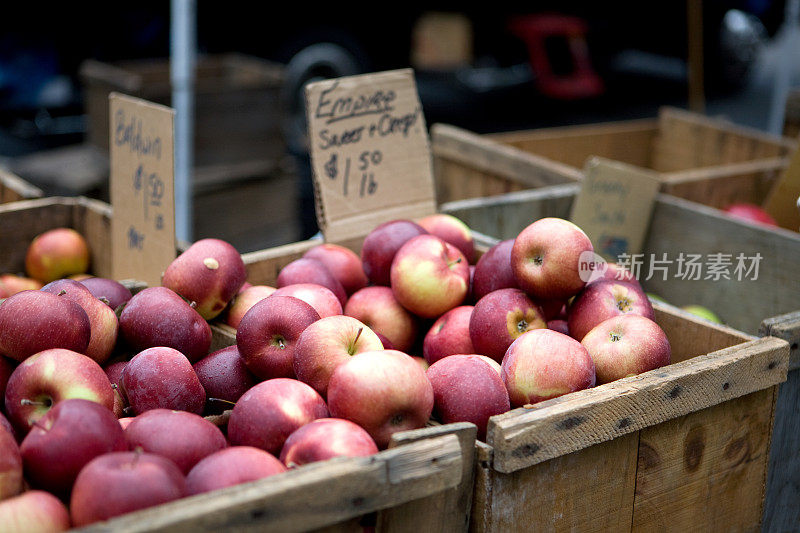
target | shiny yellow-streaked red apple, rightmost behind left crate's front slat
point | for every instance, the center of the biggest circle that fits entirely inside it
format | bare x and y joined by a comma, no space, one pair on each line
324,439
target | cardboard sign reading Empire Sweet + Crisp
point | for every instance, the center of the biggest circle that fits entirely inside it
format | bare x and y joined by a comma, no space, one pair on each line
370,152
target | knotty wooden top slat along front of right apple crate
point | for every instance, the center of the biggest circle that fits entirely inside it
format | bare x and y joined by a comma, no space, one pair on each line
524,437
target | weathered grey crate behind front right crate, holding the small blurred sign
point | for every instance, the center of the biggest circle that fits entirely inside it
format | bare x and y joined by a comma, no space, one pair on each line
768,306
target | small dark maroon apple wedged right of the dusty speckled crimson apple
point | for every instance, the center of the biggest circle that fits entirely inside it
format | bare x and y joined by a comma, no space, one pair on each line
224,375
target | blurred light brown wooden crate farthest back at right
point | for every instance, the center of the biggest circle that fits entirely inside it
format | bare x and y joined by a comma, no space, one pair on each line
706,160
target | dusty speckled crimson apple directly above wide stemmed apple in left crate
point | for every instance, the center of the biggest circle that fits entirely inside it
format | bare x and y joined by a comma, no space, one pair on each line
162,377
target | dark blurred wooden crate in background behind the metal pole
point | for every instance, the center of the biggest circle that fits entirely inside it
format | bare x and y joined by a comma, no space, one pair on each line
238,109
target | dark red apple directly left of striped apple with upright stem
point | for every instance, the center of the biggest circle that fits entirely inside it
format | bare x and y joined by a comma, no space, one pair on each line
268,332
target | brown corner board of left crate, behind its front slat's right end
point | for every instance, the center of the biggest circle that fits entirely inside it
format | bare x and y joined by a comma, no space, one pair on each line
445,511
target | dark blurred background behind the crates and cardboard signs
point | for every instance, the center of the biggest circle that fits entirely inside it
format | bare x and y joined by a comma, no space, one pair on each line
487,69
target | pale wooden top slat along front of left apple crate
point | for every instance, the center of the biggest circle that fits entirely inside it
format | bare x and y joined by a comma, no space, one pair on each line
313,496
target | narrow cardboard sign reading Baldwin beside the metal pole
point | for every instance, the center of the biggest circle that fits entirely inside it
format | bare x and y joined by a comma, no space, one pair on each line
142,180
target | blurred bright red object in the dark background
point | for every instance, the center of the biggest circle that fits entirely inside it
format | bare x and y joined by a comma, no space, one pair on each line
539,31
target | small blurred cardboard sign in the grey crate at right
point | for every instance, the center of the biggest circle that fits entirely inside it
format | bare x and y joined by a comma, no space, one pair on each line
614,206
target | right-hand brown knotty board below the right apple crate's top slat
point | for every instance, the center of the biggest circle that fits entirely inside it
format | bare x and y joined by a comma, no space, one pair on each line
706,471
